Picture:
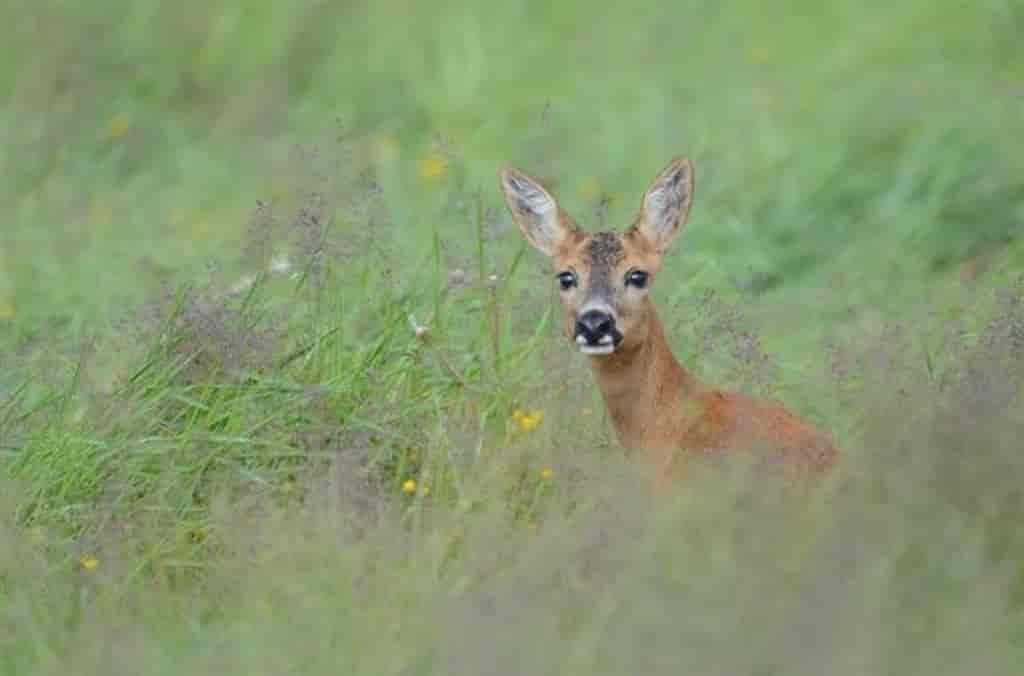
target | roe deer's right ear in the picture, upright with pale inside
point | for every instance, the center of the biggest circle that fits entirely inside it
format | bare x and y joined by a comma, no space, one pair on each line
667,204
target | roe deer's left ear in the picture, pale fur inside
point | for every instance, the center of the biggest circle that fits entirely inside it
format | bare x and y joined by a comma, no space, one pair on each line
535,212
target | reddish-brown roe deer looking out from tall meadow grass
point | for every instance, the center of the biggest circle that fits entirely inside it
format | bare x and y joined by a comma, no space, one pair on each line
656,405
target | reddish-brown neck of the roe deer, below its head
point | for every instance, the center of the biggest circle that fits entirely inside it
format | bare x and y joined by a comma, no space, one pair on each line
644,386
